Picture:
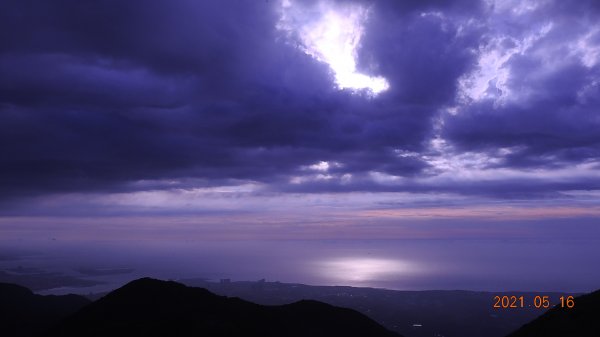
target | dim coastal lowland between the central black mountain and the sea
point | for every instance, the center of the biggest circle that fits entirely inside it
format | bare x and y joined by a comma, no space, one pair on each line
445,313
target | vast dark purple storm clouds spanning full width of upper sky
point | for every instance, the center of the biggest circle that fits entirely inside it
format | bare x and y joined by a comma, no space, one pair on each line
97,95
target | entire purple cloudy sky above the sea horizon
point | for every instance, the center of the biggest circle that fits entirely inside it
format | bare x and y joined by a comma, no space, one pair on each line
282,120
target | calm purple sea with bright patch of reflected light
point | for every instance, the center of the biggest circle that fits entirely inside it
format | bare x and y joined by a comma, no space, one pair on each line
492,265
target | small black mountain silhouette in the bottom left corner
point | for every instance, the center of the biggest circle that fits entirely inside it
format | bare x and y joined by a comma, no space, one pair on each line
24,314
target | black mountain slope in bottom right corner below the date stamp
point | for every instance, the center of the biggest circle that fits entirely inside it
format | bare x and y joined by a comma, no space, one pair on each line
583,320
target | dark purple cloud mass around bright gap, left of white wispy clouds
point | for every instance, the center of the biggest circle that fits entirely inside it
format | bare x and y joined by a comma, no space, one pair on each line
95,94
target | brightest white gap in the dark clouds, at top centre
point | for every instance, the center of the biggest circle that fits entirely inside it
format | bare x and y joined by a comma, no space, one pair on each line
331,33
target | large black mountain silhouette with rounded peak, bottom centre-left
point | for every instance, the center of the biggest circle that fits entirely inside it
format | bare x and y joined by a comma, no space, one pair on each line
148,307
